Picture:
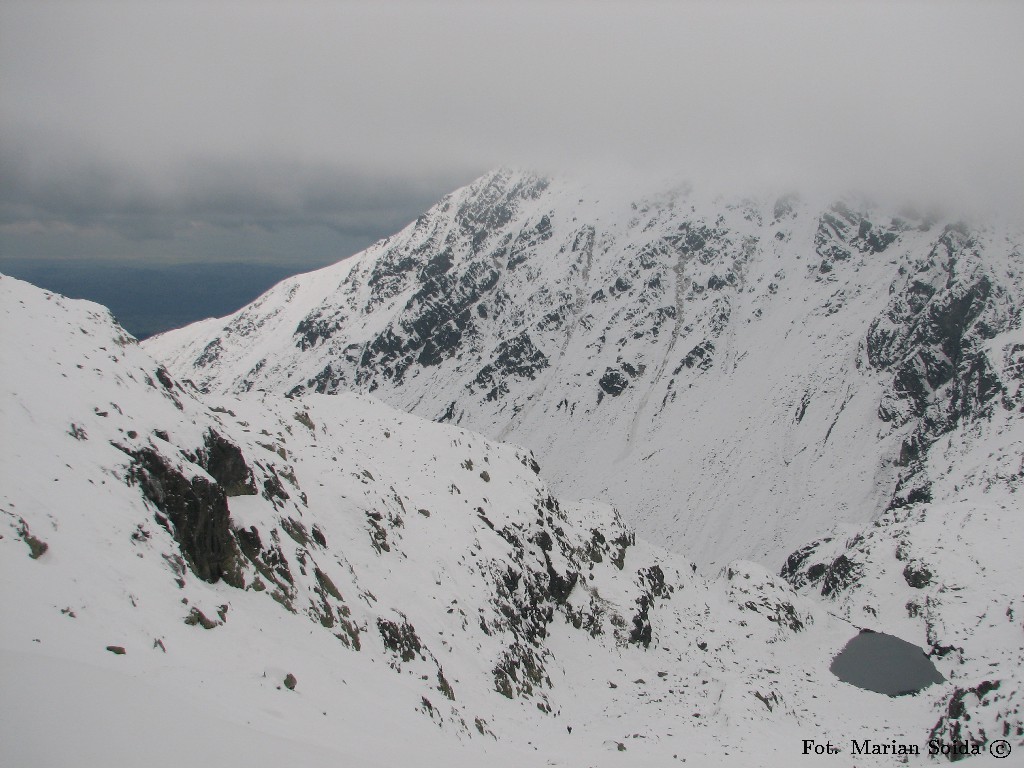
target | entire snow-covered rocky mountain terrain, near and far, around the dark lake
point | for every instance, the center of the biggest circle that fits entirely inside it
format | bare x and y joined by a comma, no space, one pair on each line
831,392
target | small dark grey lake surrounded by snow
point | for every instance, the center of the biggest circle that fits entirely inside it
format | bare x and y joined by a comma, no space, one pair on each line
884,664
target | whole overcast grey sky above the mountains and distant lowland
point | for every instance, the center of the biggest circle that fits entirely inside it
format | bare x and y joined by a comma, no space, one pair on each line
300,133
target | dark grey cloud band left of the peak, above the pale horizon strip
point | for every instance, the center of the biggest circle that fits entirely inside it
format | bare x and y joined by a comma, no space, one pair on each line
89,191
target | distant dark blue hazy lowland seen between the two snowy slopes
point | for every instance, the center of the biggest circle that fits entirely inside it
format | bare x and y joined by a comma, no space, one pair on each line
148,301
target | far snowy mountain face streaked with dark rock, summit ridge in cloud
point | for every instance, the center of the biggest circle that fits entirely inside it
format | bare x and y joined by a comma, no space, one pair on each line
736,376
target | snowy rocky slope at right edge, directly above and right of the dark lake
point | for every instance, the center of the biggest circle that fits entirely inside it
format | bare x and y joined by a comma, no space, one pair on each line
946,574
